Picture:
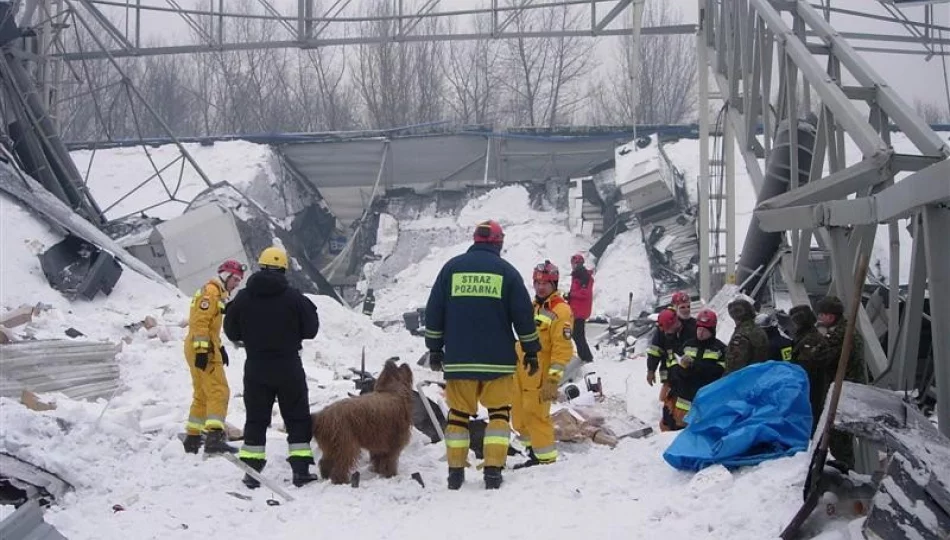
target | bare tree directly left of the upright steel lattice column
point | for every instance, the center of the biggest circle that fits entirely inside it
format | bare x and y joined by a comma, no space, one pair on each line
667,77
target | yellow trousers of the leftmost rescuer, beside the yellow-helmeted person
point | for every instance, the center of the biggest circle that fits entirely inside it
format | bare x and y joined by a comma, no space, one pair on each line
209,401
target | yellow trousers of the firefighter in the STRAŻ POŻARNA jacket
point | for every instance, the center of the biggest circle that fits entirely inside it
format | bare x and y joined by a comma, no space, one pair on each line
463,396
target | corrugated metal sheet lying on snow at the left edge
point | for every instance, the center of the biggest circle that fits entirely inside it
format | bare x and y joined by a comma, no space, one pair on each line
78,369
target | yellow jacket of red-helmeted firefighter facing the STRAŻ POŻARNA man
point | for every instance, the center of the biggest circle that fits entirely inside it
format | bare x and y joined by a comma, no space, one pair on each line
554,322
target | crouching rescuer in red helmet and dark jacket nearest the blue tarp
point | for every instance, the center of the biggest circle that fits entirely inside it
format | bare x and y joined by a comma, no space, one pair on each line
702,362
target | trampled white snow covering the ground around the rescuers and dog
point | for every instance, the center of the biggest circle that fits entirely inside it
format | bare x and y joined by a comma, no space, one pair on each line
126,452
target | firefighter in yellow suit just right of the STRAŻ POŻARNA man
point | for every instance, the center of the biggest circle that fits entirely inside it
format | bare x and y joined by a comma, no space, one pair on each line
532,407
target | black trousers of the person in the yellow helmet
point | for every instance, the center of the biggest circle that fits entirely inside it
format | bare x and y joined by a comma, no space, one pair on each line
290,391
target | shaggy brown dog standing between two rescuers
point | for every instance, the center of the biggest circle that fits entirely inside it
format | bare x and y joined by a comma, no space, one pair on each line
380,422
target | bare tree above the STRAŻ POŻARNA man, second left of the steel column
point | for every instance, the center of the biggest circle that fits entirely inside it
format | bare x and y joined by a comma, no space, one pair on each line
542,75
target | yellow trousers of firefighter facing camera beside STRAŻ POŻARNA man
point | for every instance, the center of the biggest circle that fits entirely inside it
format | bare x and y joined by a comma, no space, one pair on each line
532,417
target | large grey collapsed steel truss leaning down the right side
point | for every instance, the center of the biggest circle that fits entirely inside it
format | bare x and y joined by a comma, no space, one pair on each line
743,42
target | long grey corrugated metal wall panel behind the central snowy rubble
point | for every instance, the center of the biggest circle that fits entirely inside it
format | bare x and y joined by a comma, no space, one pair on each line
345,171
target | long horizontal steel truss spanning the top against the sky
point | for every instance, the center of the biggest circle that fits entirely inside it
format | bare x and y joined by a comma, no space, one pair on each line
339,24
